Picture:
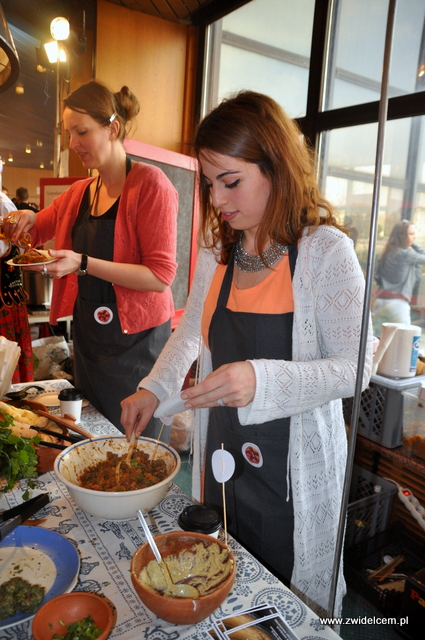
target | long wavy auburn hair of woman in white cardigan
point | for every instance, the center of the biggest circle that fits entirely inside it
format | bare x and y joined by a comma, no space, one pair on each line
253,127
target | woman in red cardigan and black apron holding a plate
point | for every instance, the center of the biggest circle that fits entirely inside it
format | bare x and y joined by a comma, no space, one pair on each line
115,240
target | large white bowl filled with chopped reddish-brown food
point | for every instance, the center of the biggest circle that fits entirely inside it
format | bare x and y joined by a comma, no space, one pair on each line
112,504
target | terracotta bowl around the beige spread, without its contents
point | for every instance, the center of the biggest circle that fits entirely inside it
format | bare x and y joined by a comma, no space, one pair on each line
185,611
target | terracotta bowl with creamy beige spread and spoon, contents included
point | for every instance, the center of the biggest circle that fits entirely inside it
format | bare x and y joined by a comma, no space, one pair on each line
197,578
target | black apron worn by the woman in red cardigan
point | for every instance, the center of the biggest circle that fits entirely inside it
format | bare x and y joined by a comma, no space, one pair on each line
108,364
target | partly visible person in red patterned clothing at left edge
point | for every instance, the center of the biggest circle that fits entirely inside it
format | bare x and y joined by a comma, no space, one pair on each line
14,324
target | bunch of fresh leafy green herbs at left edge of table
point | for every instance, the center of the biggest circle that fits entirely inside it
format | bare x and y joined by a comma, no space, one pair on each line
18,459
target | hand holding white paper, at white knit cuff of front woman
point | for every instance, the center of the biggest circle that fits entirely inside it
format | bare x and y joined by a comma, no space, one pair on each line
233,384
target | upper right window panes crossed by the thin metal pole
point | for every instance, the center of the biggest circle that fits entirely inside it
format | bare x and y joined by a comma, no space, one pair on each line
357,50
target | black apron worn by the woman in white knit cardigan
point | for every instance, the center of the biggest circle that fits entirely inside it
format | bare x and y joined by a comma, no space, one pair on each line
258,514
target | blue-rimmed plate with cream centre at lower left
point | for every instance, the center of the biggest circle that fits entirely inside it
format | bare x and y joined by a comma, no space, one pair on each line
39,556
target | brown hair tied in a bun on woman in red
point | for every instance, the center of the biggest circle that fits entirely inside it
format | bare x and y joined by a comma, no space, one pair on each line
100,103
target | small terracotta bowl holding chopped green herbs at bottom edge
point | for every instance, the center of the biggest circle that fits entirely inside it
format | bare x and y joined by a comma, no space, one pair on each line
69,608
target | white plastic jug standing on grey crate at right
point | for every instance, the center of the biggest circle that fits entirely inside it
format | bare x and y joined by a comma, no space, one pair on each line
397,354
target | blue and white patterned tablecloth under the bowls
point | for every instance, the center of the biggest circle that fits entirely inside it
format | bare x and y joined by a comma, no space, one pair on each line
106,548
